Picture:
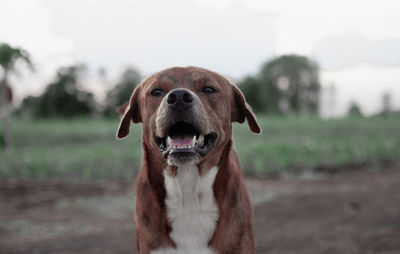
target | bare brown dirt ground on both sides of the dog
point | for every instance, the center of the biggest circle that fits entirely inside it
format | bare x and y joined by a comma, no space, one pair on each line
348,212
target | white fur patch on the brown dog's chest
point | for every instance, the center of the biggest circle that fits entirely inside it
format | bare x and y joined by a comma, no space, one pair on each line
191,210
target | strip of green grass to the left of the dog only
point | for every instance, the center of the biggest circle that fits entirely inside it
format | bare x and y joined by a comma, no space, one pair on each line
78,149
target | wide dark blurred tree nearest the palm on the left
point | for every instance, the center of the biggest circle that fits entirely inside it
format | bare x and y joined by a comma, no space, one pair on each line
62,97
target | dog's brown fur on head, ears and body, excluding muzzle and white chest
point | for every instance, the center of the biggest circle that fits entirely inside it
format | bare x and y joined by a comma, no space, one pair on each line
233,233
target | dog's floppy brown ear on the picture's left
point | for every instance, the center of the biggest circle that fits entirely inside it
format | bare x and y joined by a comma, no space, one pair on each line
130,112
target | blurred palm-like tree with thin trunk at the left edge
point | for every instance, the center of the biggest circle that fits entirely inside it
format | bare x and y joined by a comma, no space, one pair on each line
9,59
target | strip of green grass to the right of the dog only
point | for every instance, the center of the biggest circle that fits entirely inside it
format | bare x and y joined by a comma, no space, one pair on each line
296,143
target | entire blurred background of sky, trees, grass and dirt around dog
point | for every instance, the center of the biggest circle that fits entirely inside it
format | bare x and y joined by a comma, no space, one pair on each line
322,76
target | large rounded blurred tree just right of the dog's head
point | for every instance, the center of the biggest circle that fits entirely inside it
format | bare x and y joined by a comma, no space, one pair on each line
285,85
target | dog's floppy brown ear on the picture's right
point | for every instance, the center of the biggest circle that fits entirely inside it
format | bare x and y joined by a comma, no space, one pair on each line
241,111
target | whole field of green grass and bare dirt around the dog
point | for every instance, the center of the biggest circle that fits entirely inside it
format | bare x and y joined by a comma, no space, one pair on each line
68,187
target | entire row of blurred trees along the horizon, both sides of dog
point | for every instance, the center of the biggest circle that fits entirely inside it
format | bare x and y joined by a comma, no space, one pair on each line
285,85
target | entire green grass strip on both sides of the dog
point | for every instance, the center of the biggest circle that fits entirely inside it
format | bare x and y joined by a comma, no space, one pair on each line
87,150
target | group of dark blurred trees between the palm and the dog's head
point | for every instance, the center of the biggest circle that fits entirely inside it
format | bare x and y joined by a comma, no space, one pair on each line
64,97
